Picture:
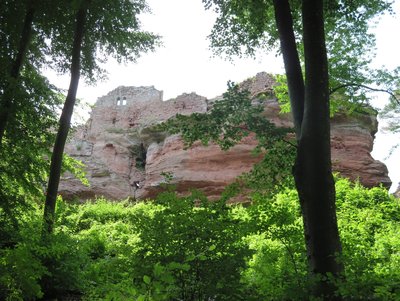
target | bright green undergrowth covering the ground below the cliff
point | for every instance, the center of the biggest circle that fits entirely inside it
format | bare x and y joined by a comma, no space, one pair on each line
187,248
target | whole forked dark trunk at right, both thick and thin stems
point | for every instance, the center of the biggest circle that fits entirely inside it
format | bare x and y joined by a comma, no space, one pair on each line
312,170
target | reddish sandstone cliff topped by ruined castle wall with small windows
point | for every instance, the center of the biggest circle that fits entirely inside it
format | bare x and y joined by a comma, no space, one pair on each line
125,156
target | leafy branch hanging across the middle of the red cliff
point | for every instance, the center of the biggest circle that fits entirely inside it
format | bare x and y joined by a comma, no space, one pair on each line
230,119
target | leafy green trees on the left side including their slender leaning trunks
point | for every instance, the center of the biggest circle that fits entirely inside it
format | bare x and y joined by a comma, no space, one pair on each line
73,37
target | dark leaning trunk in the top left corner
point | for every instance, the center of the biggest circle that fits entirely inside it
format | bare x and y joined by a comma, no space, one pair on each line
7,103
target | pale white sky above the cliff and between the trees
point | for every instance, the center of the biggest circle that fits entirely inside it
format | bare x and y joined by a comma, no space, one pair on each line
185,64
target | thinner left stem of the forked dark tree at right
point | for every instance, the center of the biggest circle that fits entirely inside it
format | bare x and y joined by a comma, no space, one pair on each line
284,23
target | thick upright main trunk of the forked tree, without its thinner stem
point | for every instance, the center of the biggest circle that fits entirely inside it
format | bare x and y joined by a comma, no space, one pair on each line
313,170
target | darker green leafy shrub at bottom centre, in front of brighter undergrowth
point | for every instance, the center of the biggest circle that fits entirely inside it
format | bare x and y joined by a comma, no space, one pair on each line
204,240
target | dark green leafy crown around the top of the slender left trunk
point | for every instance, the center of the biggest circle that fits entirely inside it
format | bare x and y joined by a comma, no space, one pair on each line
112,29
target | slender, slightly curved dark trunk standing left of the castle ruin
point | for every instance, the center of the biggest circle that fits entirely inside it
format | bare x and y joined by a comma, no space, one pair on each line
64,124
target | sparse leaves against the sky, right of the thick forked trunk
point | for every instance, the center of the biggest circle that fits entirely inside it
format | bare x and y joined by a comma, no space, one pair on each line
351,47
